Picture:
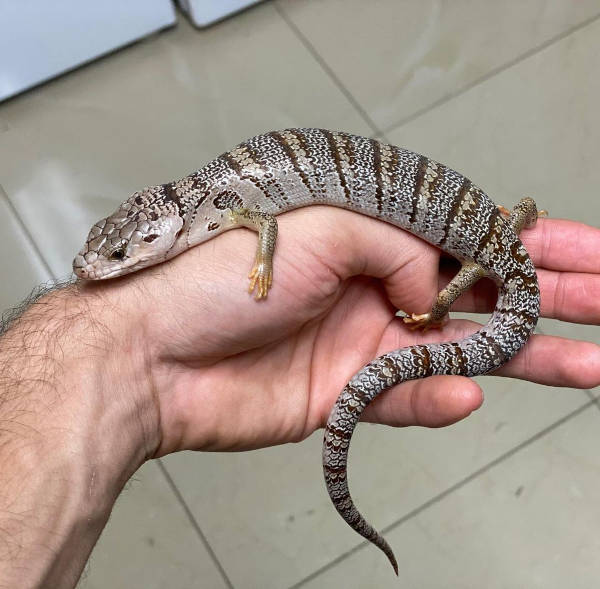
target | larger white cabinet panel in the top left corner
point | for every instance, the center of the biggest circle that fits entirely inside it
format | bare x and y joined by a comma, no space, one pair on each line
43,38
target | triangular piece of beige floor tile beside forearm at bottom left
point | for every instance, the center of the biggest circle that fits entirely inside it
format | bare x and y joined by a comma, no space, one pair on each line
149,542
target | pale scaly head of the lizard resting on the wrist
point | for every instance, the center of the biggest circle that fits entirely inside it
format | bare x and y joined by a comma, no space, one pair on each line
138,234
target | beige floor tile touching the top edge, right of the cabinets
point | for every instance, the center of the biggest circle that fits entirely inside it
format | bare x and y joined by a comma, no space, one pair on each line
397,58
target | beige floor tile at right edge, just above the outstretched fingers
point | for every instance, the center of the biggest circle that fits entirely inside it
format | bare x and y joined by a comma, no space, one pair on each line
532,130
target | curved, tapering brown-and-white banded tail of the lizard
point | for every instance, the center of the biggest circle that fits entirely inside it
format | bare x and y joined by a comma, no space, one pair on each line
494,344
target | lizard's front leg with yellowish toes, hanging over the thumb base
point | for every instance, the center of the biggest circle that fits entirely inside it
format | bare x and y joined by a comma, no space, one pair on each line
261,275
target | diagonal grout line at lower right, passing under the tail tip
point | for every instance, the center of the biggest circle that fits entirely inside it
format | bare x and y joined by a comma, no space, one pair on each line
466,480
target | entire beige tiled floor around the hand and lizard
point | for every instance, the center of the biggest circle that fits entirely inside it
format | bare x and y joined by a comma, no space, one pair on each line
507,93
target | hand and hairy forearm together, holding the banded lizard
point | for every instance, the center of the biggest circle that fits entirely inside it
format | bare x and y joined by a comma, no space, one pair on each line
96,378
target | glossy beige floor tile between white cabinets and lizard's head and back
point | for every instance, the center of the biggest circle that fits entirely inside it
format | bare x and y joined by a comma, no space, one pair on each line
152,113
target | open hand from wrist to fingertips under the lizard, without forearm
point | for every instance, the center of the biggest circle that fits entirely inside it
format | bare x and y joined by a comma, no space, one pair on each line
230,373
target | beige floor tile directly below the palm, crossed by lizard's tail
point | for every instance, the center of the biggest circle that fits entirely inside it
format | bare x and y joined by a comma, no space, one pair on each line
271,506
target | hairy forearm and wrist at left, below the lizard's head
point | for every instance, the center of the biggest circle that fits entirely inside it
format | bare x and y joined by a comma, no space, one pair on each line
74,426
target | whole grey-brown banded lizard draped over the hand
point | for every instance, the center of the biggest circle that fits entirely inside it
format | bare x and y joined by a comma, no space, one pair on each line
278,171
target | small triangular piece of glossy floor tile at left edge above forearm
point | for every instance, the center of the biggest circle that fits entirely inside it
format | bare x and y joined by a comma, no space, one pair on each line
20,266
